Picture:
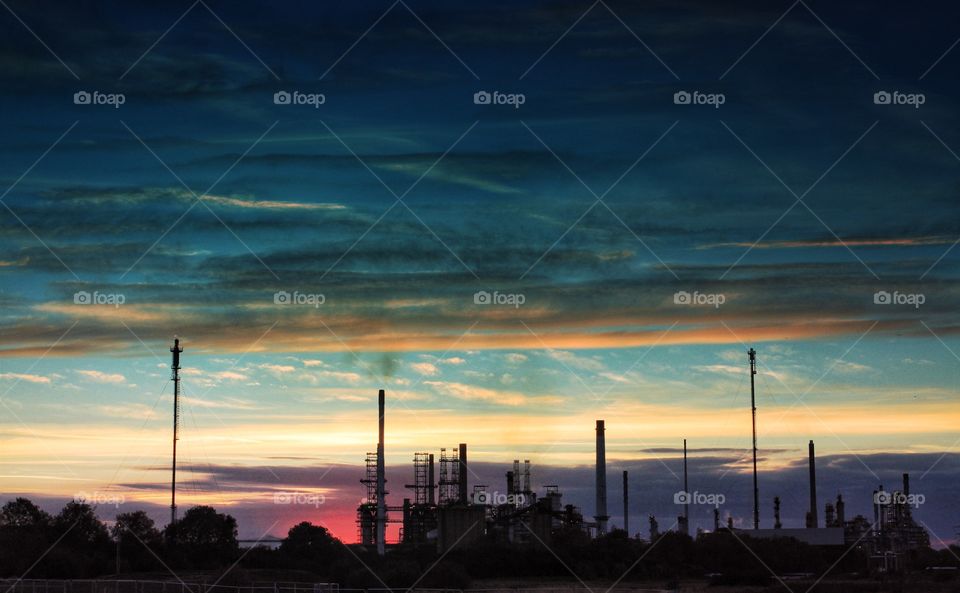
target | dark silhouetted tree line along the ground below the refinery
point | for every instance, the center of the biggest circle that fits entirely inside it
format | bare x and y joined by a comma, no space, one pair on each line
75,543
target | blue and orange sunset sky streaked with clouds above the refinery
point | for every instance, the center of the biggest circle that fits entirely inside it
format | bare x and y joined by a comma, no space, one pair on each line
649,191
